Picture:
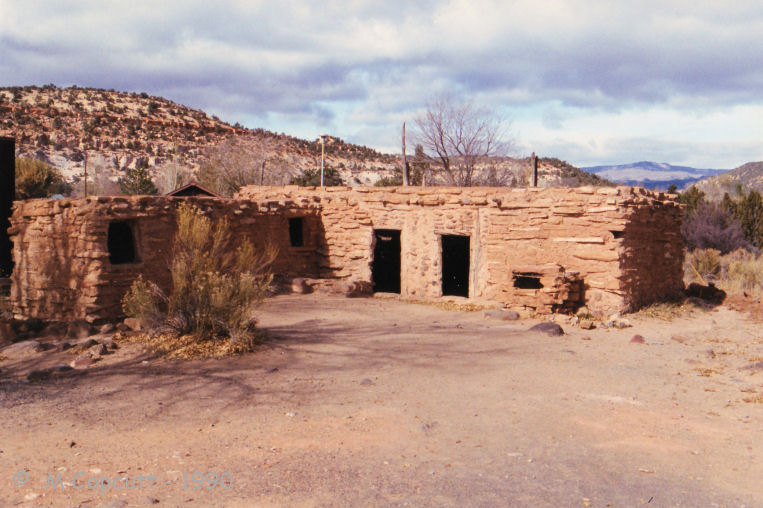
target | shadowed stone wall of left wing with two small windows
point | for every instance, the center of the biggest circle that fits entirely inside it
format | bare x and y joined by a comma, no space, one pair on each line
63,271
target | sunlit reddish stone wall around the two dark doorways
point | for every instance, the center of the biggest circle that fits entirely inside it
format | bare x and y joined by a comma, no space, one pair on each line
615,248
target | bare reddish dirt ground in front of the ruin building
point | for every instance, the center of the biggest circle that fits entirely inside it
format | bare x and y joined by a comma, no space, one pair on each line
357,402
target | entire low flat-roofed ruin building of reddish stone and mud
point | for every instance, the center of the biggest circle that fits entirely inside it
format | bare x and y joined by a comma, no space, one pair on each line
547,249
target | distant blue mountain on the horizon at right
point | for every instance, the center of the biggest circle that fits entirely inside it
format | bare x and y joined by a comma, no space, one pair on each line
653,175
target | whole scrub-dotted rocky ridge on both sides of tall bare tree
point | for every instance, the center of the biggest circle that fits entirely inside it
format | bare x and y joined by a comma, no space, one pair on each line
107,132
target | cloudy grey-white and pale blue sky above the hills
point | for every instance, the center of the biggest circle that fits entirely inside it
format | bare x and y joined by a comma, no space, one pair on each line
591,82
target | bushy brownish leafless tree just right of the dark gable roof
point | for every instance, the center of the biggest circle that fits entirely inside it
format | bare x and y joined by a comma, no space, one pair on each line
242,161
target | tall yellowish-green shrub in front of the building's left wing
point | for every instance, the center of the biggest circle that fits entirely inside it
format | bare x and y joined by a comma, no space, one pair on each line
213,290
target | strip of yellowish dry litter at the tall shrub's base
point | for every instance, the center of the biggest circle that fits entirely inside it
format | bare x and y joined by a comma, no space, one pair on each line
188,347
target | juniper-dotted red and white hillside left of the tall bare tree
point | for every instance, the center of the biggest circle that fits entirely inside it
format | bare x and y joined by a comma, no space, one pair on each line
117,130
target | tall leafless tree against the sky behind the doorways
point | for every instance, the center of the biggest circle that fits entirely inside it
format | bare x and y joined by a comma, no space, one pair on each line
460,136
